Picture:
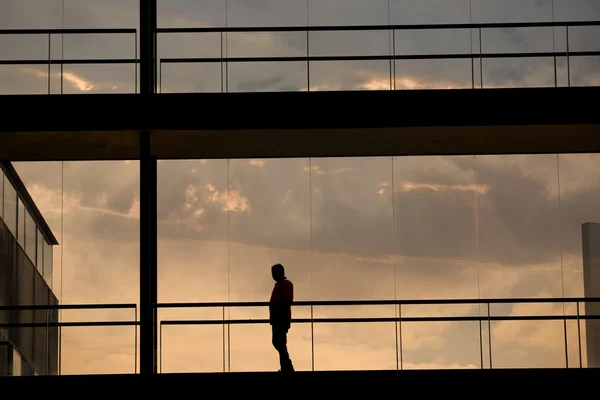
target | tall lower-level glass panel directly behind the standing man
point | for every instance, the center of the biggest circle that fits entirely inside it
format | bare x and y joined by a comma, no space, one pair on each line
269,223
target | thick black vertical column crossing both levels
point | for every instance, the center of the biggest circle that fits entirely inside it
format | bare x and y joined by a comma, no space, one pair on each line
148,212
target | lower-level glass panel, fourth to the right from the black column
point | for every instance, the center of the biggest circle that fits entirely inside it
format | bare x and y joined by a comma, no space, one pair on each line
435,236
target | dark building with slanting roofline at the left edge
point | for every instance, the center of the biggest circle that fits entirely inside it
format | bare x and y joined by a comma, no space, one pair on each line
28,342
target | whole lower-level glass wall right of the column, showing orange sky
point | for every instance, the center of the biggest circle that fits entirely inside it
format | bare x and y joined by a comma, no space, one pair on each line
406,228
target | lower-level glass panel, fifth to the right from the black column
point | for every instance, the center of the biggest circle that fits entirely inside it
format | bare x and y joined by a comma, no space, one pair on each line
519,256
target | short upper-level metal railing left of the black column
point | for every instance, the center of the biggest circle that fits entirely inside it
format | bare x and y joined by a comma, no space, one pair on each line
49,61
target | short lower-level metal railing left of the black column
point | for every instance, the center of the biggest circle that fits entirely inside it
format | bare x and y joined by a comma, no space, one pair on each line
61,324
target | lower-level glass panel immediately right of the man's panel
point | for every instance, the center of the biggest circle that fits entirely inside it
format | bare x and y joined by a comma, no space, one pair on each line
352,259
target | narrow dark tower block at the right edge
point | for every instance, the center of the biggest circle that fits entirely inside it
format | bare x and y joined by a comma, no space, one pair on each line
591,288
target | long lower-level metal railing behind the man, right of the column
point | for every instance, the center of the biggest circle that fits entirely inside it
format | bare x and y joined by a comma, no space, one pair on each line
398,320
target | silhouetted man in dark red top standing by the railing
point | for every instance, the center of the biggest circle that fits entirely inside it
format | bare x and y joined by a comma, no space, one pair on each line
280,315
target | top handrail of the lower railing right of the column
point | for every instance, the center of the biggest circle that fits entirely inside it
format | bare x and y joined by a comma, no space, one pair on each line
309,303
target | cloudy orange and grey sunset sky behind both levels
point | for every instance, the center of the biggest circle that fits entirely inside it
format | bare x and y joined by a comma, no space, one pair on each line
375,228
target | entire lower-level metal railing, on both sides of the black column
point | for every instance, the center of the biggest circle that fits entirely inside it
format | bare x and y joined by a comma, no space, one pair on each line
484,320
